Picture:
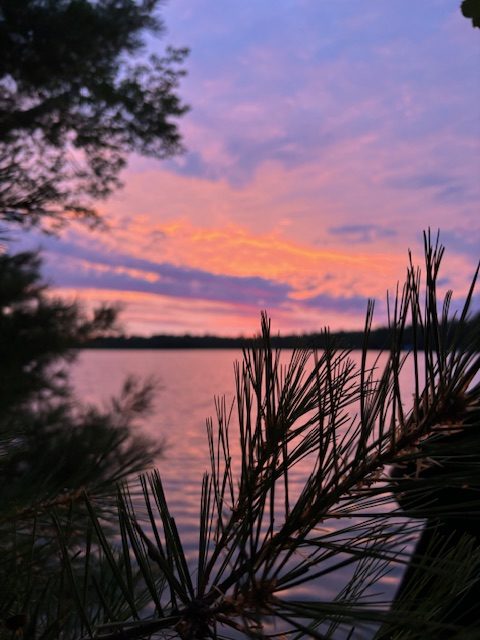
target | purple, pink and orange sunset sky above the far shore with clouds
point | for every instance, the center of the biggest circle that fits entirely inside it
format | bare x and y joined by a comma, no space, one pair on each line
324,137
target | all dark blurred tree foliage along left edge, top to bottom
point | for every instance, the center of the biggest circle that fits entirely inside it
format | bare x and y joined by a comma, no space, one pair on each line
77,95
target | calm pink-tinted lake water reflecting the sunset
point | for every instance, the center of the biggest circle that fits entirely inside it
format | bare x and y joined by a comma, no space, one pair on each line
188,381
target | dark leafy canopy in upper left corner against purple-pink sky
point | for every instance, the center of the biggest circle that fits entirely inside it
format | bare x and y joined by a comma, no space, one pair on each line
77,95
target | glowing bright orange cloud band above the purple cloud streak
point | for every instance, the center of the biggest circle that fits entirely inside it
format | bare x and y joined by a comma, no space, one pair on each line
235,251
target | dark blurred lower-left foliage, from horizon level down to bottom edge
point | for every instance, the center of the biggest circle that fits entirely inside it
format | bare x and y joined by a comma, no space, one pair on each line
53,448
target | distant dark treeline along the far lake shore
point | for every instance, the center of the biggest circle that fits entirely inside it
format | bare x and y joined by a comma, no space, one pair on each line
378,339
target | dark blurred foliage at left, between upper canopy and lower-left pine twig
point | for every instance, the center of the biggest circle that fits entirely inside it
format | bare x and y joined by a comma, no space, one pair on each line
45,433
